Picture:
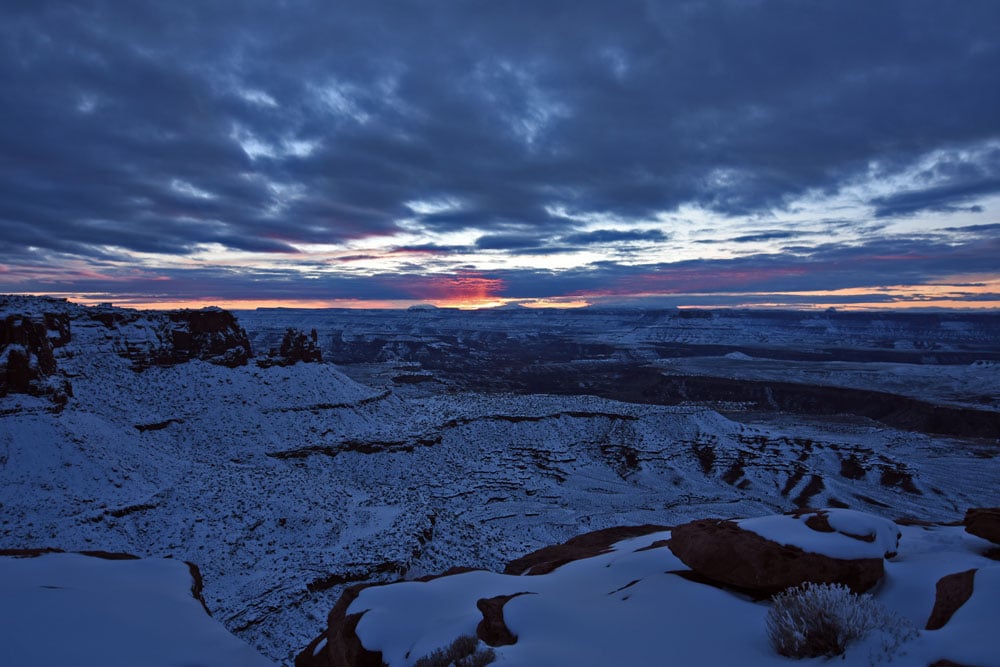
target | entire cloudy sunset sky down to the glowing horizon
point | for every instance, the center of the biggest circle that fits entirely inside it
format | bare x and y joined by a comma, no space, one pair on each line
739,153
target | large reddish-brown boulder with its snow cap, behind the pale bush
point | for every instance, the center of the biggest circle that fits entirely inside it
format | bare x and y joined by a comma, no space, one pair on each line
768,555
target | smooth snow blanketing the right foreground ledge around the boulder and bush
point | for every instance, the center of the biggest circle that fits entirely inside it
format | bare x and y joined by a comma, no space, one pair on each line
637,603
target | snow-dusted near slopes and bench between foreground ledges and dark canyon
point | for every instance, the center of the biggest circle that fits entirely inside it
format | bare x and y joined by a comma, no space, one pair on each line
156,434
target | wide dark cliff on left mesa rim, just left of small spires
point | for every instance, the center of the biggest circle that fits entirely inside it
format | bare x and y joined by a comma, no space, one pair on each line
210,334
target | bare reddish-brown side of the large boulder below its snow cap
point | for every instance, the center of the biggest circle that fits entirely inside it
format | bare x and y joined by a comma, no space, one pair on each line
724,553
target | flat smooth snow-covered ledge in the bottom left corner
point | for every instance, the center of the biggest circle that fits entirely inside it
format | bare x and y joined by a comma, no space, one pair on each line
72,609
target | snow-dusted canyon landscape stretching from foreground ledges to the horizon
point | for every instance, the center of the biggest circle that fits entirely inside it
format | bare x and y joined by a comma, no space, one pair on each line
444,439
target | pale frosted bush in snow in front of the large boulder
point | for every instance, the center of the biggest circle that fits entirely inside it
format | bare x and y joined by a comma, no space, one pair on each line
814,620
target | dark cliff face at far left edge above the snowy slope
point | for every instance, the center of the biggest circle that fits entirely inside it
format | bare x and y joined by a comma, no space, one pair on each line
27,362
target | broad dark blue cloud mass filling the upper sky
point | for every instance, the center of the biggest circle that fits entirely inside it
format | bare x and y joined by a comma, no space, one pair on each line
156,127
